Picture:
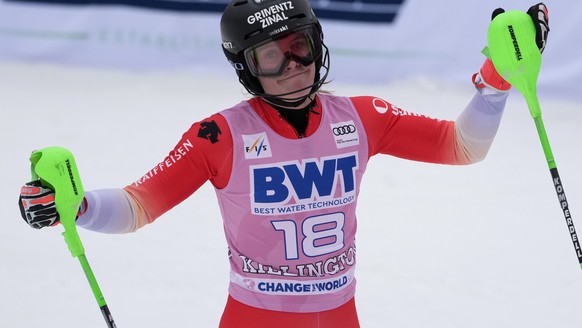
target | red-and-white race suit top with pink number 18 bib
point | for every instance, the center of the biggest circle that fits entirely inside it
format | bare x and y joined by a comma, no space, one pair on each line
288,201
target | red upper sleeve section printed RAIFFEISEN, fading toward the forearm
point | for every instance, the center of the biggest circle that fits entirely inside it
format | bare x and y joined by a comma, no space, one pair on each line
203,153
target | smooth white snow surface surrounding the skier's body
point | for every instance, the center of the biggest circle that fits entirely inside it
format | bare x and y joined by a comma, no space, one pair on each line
438,246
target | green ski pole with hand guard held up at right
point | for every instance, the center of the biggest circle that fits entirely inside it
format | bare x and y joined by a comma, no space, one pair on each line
515,55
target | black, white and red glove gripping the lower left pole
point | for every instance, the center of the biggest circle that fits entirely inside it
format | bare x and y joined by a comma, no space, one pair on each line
37,205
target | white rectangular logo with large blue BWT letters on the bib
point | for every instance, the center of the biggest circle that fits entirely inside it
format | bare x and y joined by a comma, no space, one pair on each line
331,179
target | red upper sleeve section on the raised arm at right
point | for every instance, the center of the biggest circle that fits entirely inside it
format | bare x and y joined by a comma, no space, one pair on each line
394,131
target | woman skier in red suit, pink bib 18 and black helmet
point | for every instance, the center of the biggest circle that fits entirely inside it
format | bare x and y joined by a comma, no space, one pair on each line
286,166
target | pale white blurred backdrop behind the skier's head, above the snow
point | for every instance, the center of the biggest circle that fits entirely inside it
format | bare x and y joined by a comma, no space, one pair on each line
441,40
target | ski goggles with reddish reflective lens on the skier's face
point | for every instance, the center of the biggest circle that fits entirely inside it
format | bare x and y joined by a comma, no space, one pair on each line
271,57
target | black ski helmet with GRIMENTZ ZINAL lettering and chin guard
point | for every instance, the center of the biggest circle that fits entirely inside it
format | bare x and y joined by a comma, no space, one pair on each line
246,23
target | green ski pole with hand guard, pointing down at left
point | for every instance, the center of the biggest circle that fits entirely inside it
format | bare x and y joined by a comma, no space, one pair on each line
56,168
